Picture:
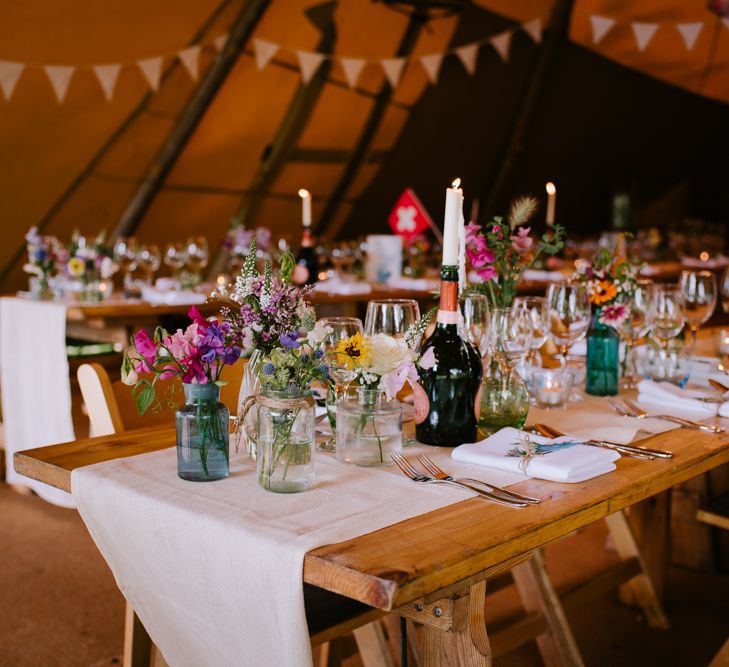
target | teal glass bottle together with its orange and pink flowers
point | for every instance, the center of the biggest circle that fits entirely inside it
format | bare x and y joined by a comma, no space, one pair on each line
611,280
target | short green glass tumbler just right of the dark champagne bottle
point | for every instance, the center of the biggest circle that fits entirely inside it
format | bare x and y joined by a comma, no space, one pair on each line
504,402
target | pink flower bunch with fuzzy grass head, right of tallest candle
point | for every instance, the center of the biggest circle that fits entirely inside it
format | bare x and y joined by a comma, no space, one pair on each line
501,251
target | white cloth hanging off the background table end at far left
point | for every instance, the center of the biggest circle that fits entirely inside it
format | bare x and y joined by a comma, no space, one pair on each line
36,394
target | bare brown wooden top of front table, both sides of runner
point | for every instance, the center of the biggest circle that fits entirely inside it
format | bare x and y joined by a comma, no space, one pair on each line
430,553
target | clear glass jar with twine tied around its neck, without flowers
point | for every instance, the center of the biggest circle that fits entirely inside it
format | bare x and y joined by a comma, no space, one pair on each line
285,446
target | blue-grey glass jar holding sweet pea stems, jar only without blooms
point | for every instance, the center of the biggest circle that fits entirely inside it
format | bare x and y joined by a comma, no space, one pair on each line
202,434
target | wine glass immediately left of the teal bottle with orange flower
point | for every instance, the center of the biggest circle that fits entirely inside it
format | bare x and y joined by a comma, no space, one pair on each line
569,315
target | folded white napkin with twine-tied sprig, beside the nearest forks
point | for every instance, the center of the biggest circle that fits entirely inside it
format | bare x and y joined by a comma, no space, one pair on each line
506,449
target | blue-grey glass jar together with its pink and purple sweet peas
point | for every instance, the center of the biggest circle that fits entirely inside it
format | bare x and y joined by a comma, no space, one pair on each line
196,356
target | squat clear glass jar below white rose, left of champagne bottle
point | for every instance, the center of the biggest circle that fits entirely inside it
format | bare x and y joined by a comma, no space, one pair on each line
368,429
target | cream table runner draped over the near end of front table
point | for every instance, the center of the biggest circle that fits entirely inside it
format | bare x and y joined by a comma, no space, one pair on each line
214,570
